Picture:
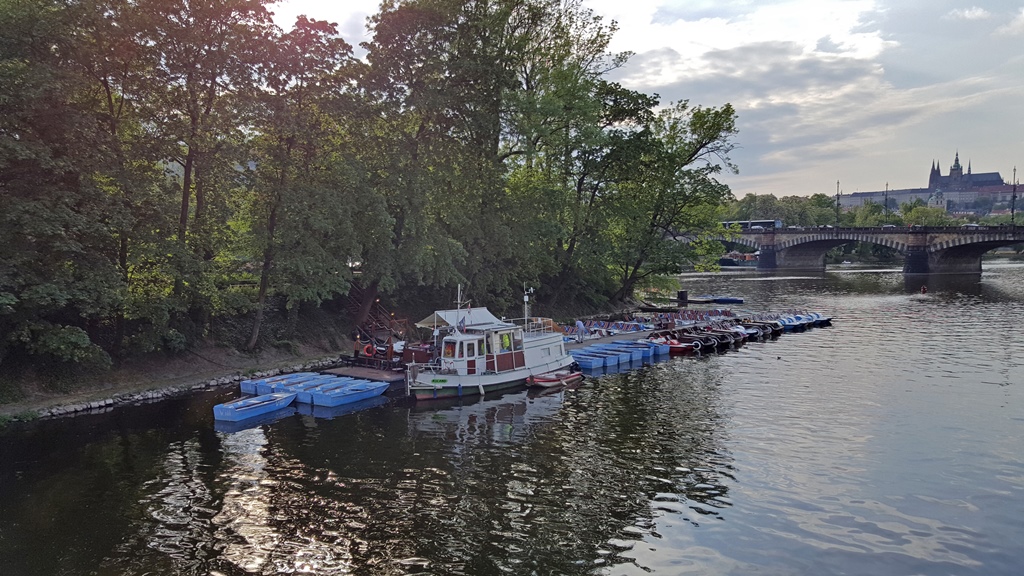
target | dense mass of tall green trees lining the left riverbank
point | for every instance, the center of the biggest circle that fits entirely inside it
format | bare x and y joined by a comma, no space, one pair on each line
165,163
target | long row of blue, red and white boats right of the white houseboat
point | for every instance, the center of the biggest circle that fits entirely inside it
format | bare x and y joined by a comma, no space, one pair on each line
694,338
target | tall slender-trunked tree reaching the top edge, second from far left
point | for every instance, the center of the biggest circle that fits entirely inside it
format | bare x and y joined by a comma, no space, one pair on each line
209,54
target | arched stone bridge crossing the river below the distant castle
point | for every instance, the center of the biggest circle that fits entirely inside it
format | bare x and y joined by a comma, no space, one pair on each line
928,250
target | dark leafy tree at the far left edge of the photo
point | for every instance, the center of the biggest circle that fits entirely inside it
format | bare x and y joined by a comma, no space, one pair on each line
58,278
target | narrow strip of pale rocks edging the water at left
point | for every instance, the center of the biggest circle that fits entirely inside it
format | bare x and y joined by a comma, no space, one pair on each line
180,390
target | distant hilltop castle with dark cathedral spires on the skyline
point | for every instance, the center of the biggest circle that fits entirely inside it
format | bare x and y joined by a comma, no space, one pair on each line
956,191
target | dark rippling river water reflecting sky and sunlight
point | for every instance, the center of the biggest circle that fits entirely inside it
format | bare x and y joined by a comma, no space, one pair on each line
892,443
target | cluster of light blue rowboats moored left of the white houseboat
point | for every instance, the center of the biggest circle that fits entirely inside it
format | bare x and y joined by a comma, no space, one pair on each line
270,395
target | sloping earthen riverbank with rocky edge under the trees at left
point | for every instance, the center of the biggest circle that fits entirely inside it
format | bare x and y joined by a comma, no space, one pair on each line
155,379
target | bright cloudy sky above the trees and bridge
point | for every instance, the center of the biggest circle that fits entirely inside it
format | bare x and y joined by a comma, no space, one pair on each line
867,94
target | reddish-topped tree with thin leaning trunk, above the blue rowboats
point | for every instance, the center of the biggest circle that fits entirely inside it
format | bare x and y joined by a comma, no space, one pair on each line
297,210
